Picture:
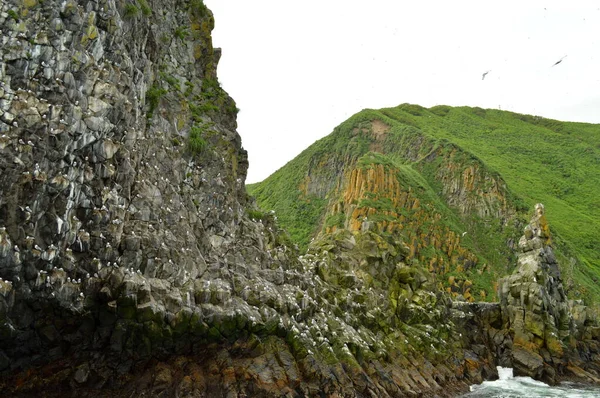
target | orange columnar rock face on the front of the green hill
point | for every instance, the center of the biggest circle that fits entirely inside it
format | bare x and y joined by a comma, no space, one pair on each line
375,197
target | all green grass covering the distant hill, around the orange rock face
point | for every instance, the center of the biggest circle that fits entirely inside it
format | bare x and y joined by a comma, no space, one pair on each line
541,160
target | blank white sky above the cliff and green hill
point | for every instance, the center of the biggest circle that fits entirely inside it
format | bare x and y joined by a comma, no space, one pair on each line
297,69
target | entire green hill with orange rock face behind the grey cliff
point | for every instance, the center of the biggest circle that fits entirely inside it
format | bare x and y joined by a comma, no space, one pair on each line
455,184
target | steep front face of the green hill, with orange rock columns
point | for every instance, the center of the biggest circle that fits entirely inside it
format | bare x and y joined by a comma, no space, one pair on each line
454,214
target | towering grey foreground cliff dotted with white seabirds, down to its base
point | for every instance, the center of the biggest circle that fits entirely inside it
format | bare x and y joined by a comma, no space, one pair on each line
129,262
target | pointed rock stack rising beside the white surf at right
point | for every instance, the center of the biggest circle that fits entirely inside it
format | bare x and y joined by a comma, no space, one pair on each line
538,318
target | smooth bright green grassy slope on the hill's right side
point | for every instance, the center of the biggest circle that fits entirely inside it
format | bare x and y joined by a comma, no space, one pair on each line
541,160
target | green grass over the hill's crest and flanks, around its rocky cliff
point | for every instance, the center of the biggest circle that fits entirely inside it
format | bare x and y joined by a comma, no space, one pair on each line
541,160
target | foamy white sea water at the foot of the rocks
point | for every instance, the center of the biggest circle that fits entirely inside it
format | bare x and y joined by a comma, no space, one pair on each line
508,386
